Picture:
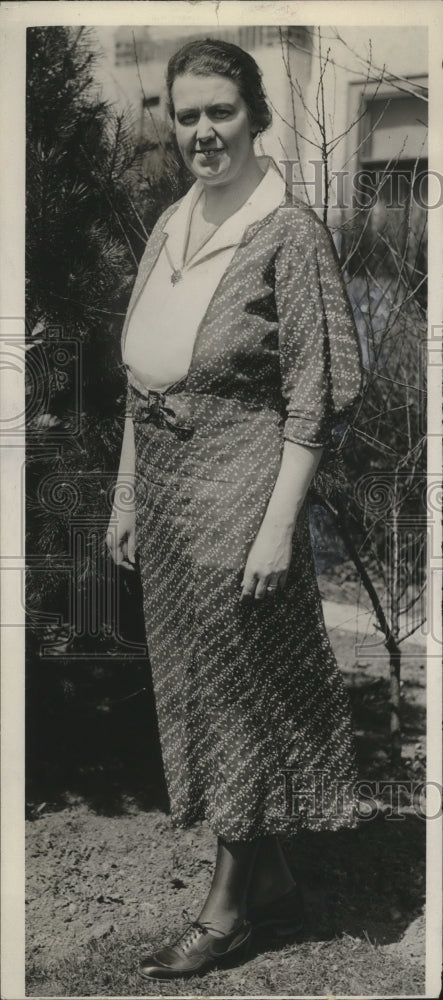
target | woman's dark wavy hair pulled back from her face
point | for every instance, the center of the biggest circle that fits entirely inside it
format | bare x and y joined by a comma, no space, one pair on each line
208,56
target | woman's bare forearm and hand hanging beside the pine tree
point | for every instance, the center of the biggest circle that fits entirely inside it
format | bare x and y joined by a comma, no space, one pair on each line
120,538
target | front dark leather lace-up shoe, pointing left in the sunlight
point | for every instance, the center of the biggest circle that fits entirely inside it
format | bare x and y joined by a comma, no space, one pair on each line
196,951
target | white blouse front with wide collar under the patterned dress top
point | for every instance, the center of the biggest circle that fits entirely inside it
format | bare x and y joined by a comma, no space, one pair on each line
164,322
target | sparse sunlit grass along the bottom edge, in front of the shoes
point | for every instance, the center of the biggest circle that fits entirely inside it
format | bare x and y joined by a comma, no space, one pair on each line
342,966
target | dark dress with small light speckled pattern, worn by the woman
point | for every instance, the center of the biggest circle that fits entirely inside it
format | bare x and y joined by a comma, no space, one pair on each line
253,715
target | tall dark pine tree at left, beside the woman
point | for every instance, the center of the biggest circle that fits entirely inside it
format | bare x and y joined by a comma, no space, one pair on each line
89,212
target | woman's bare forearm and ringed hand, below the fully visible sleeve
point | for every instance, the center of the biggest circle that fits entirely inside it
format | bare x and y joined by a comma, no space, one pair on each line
269,559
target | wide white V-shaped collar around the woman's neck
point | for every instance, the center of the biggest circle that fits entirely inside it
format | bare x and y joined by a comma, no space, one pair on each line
265,198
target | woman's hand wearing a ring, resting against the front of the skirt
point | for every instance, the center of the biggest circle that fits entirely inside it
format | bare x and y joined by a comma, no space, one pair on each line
268,562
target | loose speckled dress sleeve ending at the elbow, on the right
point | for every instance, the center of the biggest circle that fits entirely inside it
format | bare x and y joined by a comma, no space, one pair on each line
320,355
